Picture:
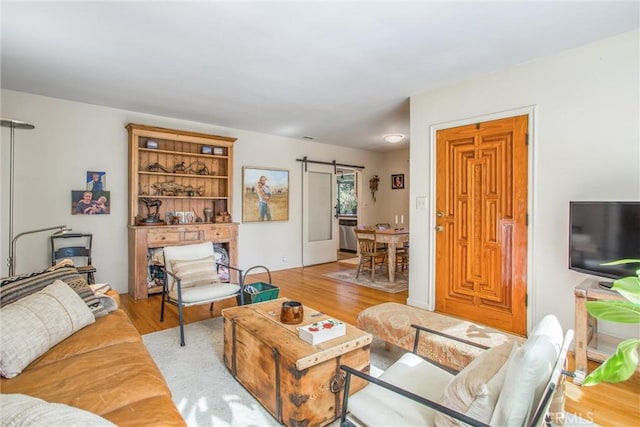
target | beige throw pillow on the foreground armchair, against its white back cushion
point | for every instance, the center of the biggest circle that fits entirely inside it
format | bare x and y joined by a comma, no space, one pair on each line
474,391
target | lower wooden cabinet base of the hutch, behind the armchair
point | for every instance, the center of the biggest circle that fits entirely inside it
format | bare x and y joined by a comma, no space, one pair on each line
143,238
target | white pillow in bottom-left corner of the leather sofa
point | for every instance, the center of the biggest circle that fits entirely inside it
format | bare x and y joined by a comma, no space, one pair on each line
22,410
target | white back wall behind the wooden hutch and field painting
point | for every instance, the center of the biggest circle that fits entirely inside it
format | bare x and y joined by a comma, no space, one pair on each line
71,138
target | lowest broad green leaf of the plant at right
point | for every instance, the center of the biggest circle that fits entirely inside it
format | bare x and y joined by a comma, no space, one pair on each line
619,367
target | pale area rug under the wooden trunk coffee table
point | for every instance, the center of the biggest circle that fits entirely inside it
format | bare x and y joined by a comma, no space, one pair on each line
204,391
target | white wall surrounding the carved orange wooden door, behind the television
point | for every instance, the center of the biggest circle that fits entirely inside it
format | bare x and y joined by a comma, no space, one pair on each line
586,146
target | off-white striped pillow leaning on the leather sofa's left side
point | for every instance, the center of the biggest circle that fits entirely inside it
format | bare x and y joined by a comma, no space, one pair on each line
32,325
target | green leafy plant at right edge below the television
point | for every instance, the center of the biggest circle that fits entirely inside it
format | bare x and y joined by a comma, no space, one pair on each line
621,365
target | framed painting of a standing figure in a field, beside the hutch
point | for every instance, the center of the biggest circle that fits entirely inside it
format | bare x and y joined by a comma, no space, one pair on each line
265,194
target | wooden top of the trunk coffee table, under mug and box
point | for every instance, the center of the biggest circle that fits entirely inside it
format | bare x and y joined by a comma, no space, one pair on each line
263,319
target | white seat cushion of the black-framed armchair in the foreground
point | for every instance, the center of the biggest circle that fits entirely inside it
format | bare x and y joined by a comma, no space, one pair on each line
411,373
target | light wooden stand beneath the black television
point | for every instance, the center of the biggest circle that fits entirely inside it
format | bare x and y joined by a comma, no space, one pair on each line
589,343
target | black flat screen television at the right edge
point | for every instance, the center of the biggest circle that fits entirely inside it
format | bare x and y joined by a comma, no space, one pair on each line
600,232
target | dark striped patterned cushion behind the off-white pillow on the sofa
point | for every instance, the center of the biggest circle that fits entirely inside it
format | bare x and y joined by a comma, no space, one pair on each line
14,288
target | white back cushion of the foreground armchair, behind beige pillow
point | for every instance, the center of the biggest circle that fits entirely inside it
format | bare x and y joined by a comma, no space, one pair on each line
528,373
